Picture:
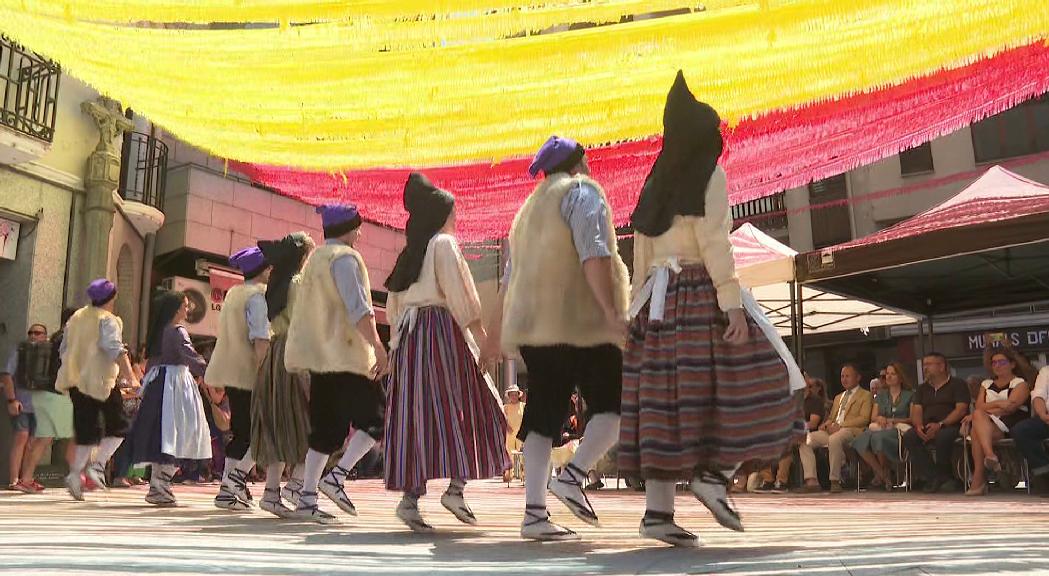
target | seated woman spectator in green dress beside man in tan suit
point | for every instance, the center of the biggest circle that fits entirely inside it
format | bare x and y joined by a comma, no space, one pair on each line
881,443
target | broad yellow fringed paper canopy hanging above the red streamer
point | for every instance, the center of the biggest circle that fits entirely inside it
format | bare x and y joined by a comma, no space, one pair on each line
316,101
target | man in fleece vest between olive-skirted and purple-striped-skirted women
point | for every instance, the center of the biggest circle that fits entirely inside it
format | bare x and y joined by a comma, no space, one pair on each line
333,336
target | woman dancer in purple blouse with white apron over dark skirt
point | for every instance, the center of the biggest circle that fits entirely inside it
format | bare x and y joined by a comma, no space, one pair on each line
172,424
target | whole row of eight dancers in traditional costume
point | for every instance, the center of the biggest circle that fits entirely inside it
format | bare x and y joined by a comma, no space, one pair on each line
673,369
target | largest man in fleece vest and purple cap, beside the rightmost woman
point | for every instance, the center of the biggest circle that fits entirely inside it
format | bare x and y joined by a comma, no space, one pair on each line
565,313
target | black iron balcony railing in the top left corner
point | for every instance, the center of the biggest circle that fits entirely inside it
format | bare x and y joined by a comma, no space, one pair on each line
29,92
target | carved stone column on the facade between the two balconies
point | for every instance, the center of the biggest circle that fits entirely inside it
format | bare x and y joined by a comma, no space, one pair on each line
101,179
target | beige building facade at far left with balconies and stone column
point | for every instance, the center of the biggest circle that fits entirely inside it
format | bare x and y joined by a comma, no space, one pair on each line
67,214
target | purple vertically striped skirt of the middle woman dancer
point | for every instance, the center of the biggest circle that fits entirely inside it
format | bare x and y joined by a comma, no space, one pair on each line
442,419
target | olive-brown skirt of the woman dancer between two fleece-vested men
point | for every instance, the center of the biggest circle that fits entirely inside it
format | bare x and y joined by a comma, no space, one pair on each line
281,411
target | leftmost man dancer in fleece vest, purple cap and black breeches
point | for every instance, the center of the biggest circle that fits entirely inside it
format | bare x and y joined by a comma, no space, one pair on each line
94,356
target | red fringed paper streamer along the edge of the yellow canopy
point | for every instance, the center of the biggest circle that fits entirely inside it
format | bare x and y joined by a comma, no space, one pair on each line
764,156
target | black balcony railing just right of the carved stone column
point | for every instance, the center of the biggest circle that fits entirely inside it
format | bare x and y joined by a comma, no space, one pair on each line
144,169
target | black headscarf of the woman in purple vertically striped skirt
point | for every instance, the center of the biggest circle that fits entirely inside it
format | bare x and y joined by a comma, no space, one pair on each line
429,209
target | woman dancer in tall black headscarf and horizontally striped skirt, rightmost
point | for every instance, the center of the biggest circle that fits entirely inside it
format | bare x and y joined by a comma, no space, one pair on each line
699,398
